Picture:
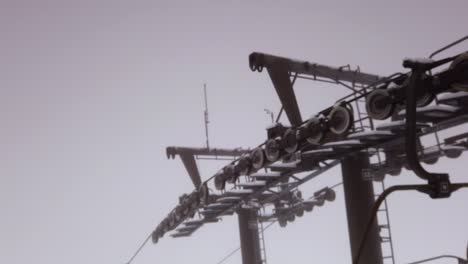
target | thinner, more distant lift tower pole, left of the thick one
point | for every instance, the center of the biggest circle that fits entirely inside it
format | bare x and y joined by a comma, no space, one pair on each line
249,239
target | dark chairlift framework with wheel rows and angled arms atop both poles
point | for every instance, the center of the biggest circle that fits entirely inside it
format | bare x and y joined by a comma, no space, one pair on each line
383,117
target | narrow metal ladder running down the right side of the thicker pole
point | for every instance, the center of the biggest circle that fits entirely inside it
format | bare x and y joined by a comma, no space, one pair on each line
383,220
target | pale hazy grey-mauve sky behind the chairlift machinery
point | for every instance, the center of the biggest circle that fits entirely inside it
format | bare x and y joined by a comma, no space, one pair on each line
91,93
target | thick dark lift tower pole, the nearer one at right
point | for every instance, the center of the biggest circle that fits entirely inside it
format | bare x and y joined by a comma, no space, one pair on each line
359,199
